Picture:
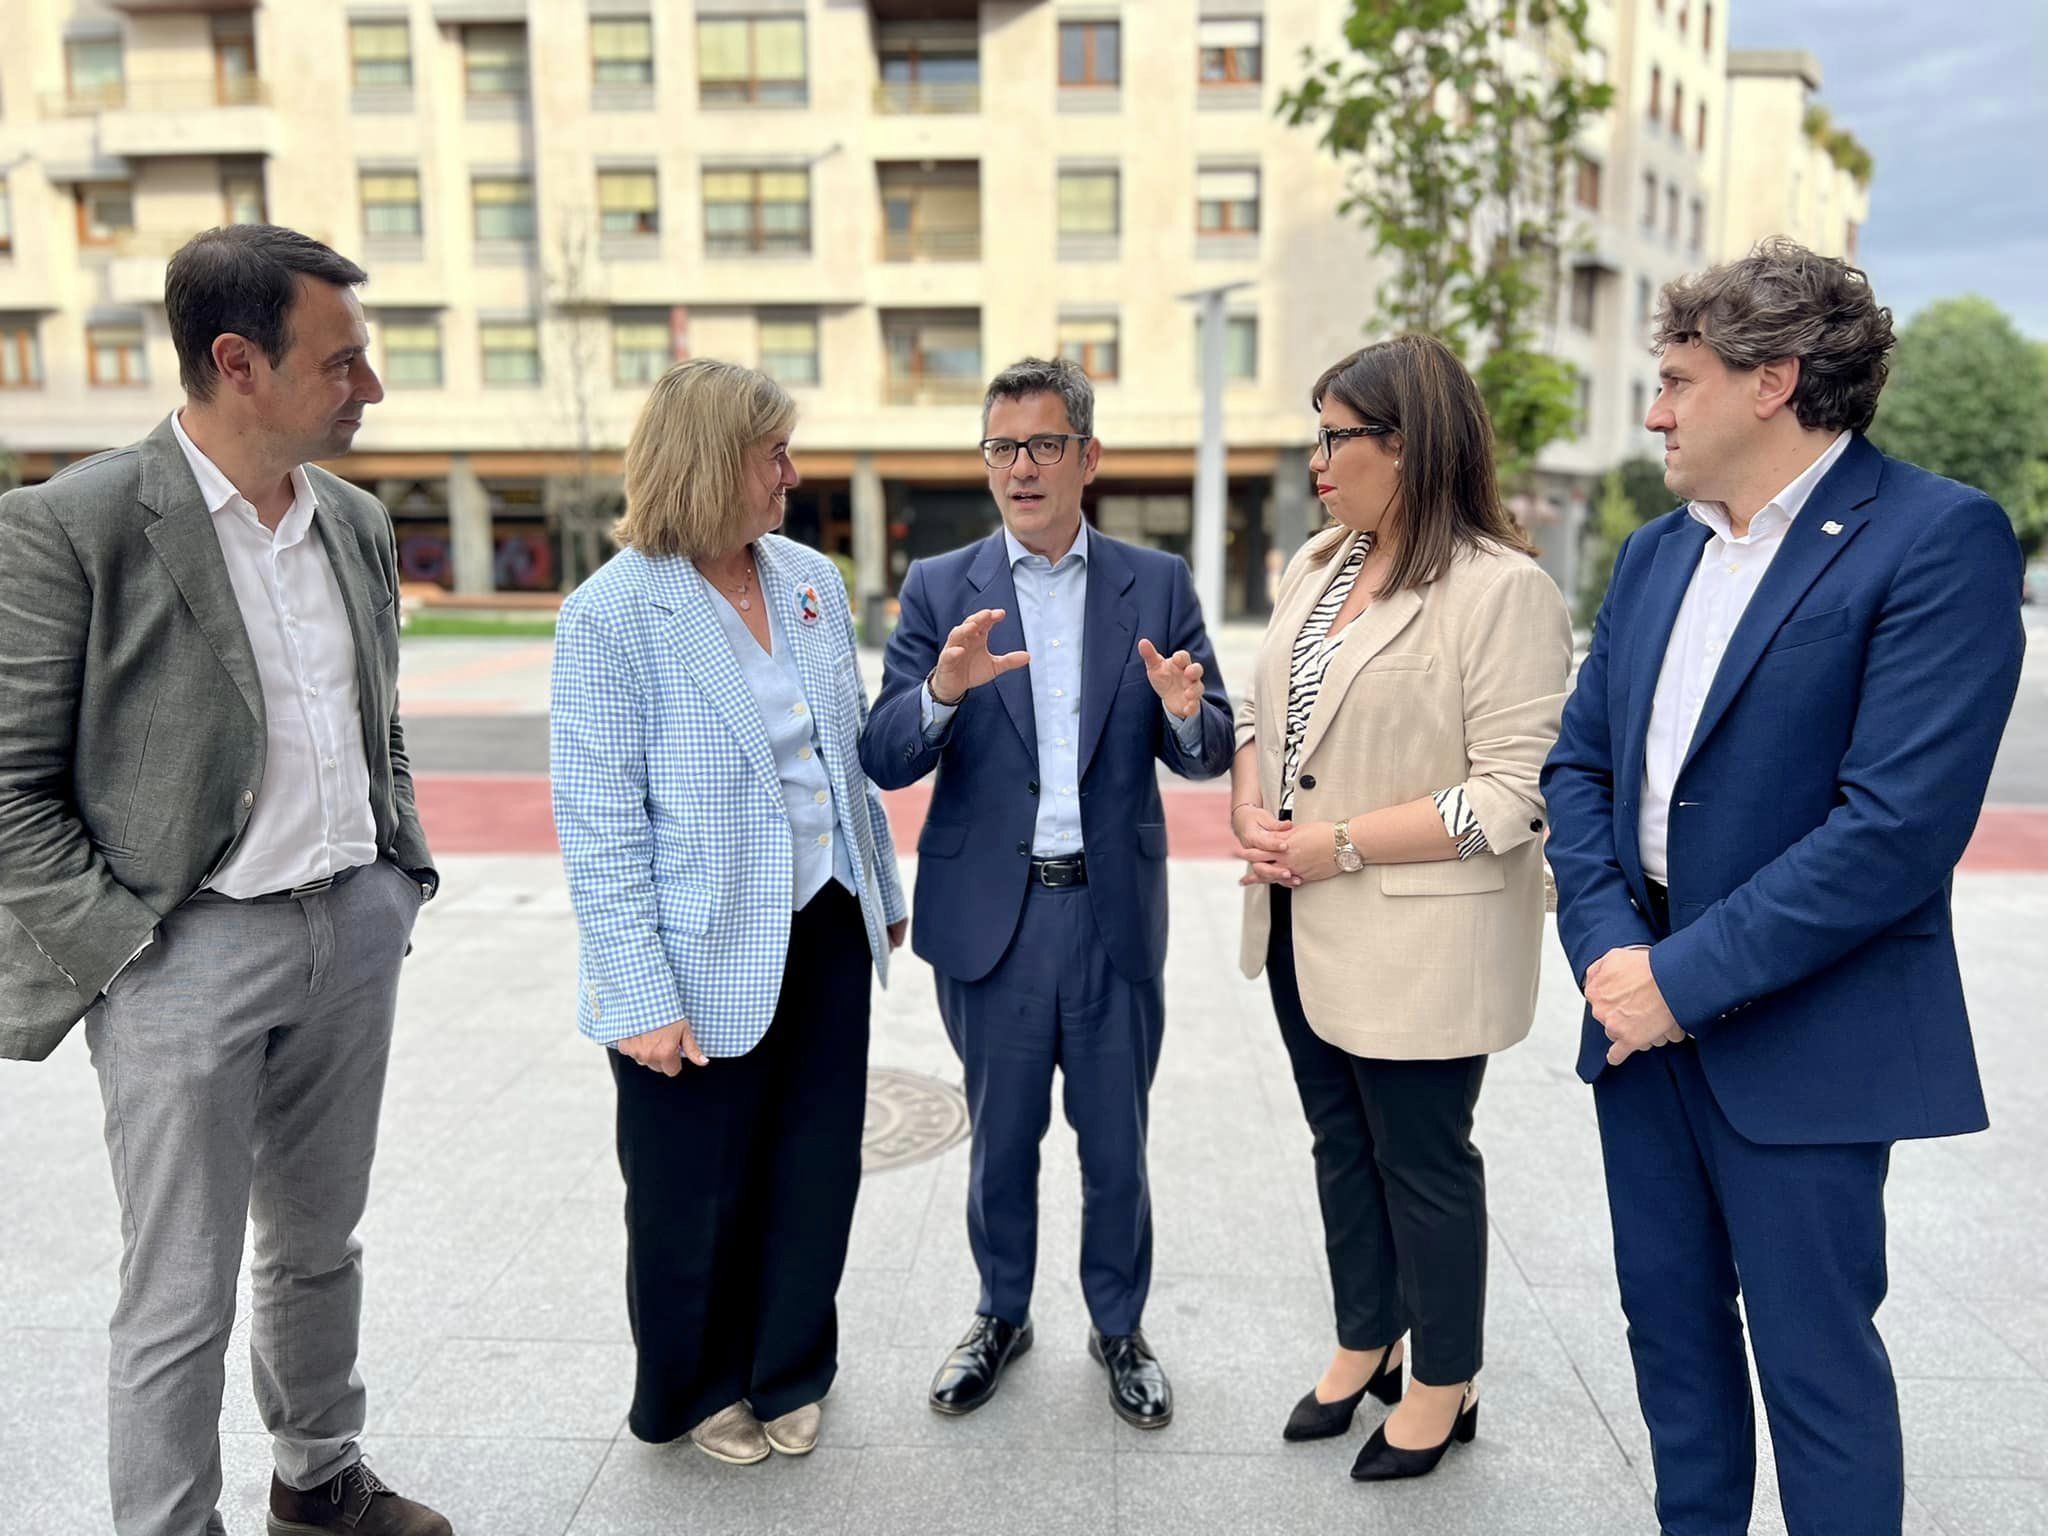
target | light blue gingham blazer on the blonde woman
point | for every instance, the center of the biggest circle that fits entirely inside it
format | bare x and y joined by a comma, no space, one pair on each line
671,816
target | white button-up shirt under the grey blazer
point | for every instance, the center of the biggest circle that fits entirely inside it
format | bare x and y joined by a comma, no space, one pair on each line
312,816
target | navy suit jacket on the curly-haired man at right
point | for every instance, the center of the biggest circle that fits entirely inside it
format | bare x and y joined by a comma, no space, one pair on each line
1828,796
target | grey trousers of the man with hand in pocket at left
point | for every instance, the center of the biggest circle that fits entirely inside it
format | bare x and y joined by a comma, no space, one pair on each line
243,1066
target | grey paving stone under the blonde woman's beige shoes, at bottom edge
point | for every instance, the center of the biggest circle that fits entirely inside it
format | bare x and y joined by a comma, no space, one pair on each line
658,1490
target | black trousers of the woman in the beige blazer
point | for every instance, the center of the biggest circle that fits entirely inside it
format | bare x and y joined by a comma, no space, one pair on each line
1402,1185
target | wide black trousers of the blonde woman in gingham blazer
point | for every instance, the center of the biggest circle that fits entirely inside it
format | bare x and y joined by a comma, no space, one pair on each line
740,1195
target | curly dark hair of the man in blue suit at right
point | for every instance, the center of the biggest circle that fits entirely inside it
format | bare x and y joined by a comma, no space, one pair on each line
1783,300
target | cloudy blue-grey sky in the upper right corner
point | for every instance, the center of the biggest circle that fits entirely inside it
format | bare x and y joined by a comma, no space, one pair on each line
1951,97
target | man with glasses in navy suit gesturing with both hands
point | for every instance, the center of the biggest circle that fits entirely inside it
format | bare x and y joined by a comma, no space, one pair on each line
1043,673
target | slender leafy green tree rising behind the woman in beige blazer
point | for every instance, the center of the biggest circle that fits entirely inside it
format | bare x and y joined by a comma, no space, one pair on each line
1457,122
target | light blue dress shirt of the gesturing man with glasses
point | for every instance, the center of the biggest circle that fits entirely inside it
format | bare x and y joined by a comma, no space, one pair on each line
1054,607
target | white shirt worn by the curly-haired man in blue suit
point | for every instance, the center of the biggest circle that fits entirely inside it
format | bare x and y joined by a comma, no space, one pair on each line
1721,589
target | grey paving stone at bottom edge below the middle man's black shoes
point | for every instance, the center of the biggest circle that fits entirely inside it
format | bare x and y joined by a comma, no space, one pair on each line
1015,1494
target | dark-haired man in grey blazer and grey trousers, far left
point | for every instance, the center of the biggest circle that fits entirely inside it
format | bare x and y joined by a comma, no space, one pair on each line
210,853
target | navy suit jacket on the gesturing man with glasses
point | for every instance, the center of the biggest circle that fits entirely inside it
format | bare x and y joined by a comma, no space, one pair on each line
974,857
